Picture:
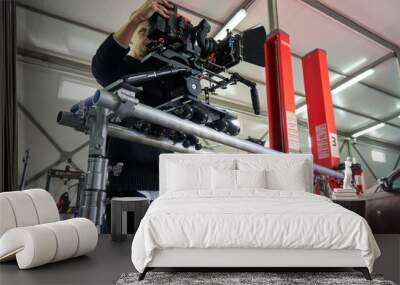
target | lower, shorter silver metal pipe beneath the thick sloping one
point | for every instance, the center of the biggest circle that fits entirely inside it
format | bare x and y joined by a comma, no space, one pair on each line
134,136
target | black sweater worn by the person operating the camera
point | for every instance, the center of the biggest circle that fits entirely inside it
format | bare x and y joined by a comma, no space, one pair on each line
140,170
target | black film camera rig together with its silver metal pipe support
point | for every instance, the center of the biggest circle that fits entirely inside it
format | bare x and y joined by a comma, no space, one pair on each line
177,49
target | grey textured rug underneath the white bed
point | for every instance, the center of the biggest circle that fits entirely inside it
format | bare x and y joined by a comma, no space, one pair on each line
244,278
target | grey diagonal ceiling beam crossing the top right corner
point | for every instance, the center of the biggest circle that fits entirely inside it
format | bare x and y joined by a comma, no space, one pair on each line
352,25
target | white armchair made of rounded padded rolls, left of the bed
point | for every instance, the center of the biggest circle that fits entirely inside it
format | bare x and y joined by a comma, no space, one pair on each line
30,230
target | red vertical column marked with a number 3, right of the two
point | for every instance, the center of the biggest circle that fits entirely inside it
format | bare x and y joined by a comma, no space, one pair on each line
321,117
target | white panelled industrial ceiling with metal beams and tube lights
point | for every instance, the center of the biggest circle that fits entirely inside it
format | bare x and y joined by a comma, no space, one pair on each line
358,36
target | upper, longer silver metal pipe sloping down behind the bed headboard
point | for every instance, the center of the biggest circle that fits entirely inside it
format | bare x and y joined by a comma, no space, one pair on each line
166,120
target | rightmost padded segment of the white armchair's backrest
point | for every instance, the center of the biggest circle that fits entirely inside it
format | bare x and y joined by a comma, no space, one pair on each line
45,205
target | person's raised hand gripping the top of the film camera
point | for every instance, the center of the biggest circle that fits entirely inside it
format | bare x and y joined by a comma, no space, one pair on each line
149,7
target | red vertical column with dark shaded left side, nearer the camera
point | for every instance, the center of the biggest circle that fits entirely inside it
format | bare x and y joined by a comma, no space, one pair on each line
283,132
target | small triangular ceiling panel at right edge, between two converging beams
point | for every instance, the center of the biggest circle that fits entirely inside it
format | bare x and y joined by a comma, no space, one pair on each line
386,76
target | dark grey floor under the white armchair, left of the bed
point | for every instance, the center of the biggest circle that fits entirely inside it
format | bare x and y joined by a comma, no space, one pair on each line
103,266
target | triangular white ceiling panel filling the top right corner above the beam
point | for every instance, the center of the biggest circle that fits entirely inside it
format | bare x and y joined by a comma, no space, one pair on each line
381,17
